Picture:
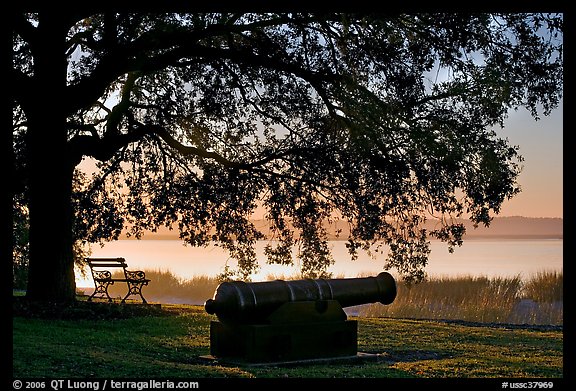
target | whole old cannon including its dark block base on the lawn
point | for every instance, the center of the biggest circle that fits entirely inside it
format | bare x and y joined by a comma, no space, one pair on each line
274,321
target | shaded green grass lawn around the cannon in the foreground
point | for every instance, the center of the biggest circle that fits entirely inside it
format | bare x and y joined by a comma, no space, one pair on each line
101,340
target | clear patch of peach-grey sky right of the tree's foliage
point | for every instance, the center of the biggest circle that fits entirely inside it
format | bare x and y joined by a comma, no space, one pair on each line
541,180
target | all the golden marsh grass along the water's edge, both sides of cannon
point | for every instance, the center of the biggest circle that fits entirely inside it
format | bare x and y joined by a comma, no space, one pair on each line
537,300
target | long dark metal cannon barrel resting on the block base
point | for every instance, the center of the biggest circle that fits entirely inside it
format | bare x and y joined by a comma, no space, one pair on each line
252,302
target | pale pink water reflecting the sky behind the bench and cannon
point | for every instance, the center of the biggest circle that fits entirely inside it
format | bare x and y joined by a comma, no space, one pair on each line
477,257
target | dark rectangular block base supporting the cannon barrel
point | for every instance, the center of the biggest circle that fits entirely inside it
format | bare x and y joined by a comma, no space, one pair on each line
264,343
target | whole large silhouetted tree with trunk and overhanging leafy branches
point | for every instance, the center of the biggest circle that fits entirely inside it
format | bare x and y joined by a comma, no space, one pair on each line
196,119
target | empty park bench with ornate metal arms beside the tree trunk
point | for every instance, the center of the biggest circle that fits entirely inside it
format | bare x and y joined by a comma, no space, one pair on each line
103,277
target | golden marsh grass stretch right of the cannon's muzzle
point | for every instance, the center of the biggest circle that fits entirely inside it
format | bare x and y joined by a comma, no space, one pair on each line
538,300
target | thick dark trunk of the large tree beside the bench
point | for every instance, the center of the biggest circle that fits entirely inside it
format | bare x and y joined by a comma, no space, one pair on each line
50,169
